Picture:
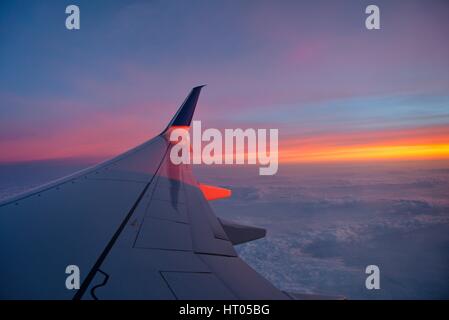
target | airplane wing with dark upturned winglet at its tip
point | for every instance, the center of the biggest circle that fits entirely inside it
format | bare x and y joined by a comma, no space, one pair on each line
137,226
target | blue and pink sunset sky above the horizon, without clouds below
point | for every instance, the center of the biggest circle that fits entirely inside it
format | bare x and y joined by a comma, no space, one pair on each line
335,90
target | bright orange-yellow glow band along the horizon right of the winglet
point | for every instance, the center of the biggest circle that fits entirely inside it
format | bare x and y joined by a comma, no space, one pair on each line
408,144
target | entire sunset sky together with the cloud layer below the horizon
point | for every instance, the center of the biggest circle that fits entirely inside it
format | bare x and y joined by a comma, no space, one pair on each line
337,92
